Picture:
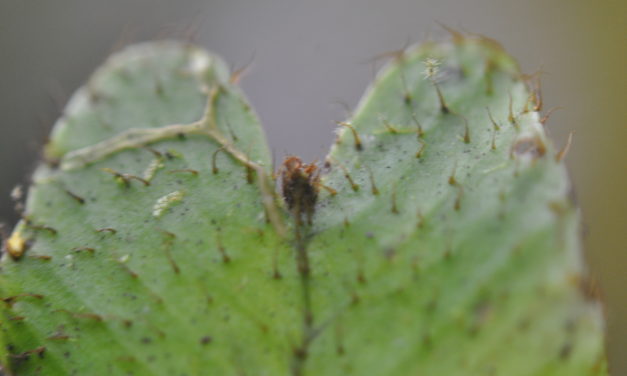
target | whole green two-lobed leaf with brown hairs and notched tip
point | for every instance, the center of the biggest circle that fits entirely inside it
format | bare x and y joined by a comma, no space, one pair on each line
442,241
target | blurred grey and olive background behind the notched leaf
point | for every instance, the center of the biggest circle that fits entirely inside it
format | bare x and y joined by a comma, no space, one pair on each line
311,56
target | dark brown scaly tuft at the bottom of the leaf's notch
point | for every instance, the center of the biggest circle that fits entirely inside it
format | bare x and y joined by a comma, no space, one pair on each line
300,184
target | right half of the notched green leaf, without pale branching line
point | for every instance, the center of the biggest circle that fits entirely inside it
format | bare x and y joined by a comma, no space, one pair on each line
465,258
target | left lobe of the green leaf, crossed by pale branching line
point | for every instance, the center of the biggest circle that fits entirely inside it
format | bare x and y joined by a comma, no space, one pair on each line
170,278
